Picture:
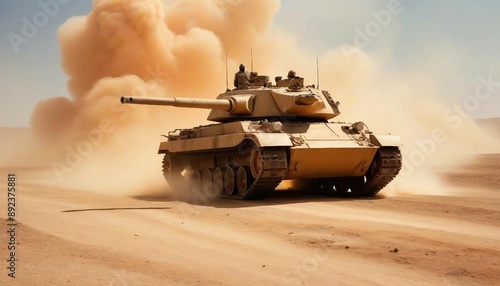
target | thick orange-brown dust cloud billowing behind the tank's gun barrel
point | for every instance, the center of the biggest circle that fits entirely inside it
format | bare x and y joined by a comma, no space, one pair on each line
138,48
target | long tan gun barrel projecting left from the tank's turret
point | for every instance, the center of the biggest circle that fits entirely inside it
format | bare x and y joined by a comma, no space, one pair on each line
241,104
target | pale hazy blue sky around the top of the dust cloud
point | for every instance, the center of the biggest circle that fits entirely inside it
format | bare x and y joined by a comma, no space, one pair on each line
442,31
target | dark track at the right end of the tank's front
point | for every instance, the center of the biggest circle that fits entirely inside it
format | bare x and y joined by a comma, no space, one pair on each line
389,163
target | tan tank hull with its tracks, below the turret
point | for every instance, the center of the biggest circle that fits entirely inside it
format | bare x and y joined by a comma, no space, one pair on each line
265,153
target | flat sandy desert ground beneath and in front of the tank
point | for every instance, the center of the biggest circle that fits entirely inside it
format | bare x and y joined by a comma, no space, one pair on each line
75,237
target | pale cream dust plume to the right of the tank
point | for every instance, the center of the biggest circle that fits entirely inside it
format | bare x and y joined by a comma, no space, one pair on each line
435,136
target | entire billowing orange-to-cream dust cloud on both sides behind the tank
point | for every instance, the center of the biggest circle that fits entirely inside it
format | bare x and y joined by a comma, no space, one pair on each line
152,48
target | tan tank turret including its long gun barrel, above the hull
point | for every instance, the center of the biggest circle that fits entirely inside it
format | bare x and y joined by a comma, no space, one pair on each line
288,100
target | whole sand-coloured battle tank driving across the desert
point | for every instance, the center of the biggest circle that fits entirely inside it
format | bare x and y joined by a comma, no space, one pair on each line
269,132
